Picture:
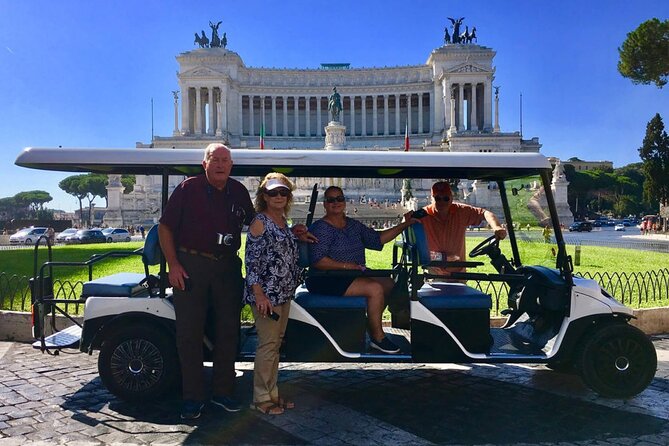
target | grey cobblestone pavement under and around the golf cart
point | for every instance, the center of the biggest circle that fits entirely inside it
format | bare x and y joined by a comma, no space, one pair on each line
60,399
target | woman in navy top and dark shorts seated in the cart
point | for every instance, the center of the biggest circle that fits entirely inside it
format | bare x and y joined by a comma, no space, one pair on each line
341,246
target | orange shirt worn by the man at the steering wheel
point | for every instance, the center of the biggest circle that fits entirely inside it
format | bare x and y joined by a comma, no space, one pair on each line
447,234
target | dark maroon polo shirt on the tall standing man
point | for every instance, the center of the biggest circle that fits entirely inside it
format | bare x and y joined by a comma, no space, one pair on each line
196,212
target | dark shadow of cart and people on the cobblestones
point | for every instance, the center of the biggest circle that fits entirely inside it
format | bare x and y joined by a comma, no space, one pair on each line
448,406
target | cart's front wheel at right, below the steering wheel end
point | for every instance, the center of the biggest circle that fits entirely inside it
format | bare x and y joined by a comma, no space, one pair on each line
618,361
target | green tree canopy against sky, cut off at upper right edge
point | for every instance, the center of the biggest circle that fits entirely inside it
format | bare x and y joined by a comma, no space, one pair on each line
644,55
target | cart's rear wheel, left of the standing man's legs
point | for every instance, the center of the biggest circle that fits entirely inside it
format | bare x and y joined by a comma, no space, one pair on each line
139,363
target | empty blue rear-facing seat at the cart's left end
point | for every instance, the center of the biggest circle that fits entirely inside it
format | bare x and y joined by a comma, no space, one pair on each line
130,284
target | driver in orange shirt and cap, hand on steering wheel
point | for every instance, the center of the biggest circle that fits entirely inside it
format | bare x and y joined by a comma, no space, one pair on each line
445,225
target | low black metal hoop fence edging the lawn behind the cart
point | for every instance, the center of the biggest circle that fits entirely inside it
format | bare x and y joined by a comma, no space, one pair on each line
641,289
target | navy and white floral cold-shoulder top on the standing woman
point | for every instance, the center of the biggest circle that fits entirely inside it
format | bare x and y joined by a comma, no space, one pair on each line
272,261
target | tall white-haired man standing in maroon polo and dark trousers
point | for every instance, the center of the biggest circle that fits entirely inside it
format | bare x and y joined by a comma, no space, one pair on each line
200,234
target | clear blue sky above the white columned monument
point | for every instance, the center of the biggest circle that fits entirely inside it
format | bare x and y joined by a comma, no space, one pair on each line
82,73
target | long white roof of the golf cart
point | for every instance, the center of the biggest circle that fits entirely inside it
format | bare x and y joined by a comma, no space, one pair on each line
296,163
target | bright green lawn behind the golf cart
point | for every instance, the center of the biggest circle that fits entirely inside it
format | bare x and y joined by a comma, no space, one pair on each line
593,260
